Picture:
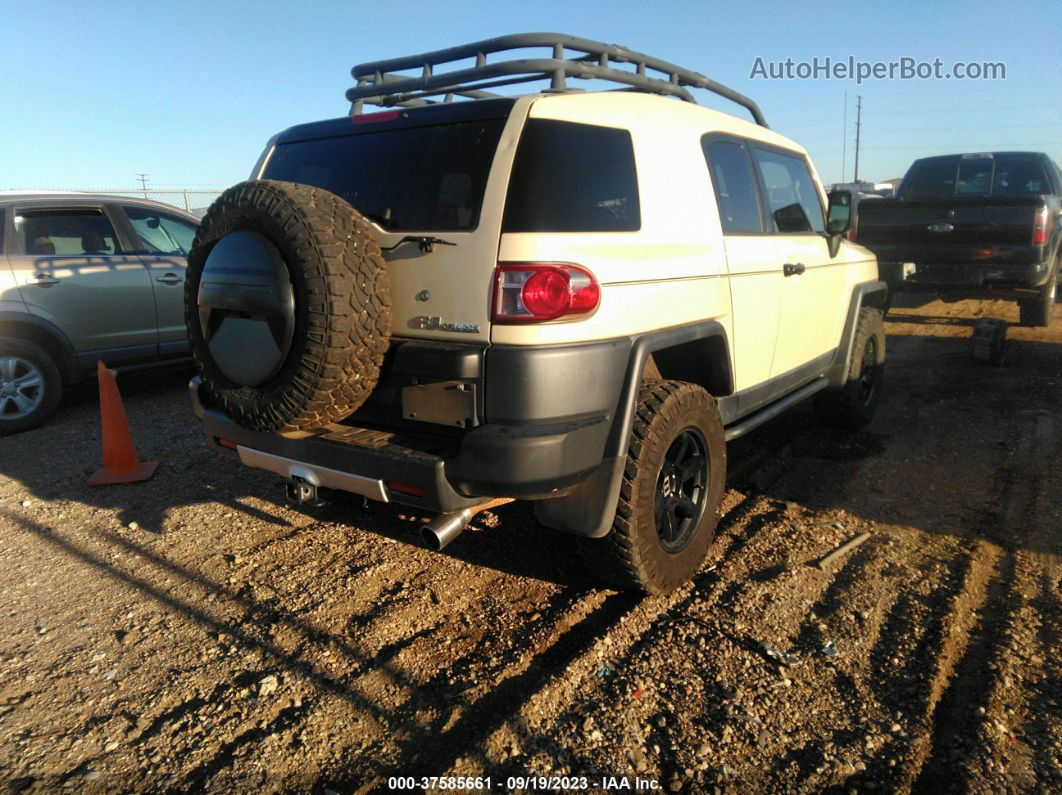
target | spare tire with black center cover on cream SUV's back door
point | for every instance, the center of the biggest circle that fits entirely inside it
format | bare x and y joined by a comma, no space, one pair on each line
287,306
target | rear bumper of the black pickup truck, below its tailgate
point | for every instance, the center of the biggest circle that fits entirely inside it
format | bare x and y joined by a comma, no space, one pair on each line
946,278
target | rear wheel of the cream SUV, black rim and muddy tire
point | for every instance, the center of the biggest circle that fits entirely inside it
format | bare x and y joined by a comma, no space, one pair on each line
670,499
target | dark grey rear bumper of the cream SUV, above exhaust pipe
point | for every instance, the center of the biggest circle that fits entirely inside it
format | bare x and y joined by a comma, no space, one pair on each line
434,473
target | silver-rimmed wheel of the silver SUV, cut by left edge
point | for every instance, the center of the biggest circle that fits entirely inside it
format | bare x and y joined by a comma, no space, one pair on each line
30,386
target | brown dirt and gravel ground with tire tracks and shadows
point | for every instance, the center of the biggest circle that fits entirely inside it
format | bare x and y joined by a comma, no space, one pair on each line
195,633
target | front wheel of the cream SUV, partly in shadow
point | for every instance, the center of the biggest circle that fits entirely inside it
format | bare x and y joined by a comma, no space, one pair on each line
853,406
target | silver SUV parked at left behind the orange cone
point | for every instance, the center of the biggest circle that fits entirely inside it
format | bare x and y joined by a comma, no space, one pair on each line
84,278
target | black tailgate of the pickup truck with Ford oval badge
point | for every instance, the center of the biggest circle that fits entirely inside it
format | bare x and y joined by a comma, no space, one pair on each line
954,231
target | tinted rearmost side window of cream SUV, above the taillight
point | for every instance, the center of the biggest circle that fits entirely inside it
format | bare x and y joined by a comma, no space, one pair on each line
573,178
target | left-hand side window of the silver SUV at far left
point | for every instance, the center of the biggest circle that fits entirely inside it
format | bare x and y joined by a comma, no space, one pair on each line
74,232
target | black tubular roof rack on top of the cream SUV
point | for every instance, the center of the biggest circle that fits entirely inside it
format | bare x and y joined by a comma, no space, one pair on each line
378,85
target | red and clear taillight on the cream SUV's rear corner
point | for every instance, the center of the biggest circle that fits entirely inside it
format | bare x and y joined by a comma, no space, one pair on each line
538,292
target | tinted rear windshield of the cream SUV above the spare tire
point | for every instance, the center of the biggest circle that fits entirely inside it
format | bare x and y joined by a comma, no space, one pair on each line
408,180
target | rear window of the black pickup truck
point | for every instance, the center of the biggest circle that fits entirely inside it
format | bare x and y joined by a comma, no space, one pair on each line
1003,176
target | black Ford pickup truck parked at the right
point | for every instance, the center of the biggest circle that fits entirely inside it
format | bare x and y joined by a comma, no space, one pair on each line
973,224
